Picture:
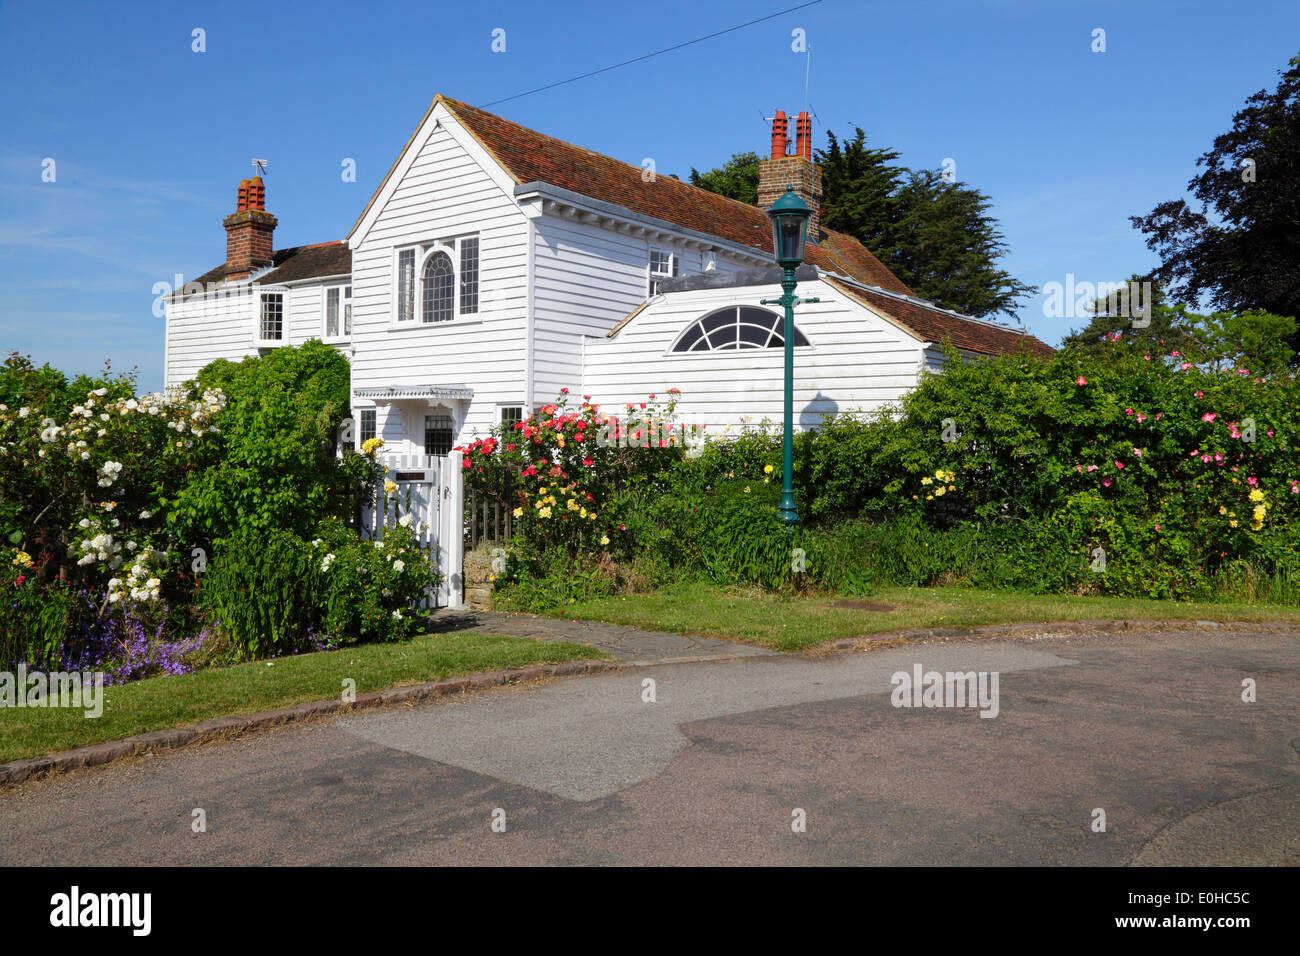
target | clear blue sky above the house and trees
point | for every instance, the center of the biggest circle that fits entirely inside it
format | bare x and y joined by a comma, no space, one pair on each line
150,139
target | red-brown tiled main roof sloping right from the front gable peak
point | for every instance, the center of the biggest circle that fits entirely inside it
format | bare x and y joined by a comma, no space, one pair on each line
531,157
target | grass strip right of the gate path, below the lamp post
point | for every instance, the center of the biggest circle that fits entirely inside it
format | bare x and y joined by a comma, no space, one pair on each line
791,624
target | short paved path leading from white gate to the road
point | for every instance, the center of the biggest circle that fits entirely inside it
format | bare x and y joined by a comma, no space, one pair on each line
625,643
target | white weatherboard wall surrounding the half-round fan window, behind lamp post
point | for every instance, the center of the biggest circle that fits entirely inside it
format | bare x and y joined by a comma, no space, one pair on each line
857,361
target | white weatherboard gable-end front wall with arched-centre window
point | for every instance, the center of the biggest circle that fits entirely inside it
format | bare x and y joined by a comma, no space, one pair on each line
449,188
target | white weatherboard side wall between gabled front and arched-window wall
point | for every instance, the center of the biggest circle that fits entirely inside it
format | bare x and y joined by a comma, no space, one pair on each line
587,279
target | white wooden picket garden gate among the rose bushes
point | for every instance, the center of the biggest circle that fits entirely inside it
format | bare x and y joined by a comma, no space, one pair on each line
428,490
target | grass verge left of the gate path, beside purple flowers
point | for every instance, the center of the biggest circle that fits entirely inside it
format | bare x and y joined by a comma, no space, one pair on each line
248,689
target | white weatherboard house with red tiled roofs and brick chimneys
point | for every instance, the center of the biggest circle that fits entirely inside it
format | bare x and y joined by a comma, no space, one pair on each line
496,266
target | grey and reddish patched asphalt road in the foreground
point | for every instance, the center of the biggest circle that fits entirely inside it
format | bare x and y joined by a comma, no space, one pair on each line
1147,726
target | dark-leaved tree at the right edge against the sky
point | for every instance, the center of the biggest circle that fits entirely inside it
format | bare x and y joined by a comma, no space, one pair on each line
1242,249
